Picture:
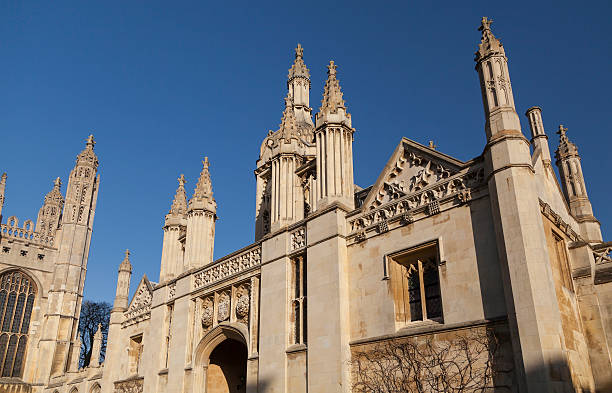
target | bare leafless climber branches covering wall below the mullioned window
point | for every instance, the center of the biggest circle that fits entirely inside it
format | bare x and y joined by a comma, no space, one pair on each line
462,362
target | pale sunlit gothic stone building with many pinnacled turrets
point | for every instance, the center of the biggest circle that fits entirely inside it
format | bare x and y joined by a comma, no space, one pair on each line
435,249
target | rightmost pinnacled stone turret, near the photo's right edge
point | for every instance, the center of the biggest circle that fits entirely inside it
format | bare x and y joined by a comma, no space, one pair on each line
574,187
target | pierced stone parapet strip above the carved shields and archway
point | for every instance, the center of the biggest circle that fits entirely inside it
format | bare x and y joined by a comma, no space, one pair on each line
228,267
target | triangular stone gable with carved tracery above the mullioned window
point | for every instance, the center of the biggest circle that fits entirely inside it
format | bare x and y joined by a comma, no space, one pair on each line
411,168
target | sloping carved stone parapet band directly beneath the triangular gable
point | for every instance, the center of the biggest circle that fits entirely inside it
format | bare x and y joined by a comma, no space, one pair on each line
458,187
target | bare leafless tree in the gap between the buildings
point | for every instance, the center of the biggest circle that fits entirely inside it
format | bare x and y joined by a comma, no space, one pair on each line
92,314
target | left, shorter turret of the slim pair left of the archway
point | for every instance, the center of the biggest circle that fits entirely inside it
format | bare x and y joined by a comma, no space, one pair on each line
175,224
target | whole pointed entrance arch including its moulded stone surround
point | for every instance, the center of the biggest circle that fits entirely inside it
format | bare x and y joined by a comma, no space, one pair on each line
221,360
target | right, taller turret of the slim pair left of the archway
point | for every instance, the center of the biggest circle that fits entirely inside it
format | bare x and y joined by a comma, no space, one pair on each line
201,217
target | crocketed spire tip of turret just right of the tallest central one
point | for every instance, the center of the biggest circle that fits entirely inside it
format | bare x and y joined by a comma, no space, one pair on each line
333,108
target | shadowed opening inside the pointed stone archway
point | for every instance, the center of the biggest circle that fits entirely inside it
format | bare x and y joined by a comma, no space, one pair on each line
226,371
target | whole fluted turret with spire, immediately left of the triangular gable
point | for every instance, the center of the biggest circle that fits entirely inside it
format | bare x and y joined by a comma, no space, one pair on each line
334,139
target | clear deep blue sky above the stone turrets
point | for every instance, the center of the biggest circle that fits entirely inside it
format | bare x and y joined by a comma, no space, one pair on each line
161,84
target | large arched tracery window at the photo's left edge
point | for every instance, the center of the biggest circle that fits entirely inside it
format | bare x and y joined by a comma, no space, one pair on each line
17,294
